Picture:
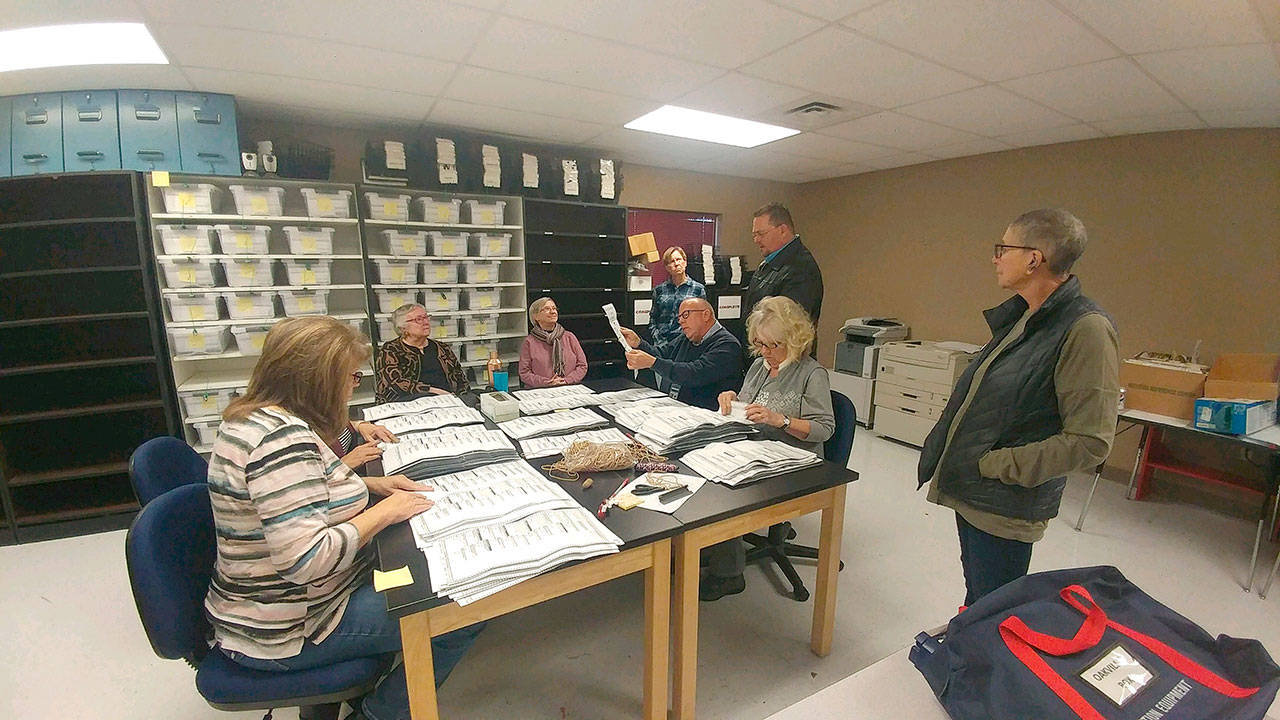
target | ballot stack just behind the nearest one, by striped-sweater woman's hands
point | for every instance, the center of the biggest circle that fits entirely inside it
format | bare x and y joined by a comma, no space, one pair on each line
450,450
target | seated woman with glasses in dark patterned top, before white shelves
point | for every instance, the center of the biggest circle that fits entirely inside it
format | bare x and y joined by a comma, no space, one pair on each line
414,364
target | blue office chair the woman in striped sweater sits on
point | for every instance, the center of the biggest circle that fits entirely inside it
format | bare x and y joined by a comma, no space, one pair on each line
171,552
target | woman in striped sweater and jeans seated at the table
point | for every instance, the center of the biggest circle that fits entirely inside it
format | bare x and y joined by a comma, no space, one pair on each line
292,581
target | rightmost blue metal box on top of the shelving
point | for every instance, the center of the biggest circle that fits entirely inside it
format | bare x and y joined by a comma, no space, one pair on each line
207,134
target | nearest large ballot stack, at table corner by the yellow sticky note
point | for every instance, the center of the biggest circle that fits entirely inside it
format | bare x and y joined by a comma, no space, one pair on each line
497,527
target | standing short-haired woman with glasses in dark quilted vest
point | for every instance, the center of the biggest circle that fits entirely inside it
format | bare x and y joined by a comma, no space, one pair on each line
1040,402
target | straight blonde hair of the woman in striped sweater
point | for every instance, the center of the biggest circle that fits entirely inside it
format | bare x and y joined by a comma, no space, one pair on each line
304,370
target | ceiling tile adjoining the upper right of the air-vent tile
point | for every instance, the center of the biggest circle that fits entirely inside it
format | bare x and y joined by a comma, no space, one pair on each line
842,63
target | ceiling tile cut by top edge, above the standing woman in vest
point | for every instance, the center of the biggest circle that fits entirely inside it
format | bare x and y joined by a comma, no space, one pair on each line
990,39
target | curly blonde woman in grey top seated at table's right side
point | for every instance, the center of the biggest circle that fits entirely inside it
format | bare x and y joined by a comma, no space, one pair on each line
785,389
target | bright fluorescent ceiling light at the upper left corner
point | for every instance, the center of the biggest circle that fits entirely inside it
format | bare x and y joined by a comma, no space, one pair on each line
90,44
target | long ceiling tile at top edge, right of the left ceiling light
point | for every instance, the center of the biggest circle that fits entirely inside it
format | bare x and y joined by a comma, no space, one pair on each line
418,28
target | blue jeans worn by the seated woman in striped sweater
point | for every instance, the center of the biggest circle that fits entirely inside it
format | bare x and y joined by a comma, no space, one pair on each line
365,631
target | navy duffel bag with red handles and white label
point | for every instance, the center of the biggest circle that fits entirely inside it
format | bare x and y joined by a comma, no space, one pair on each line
1089,645
